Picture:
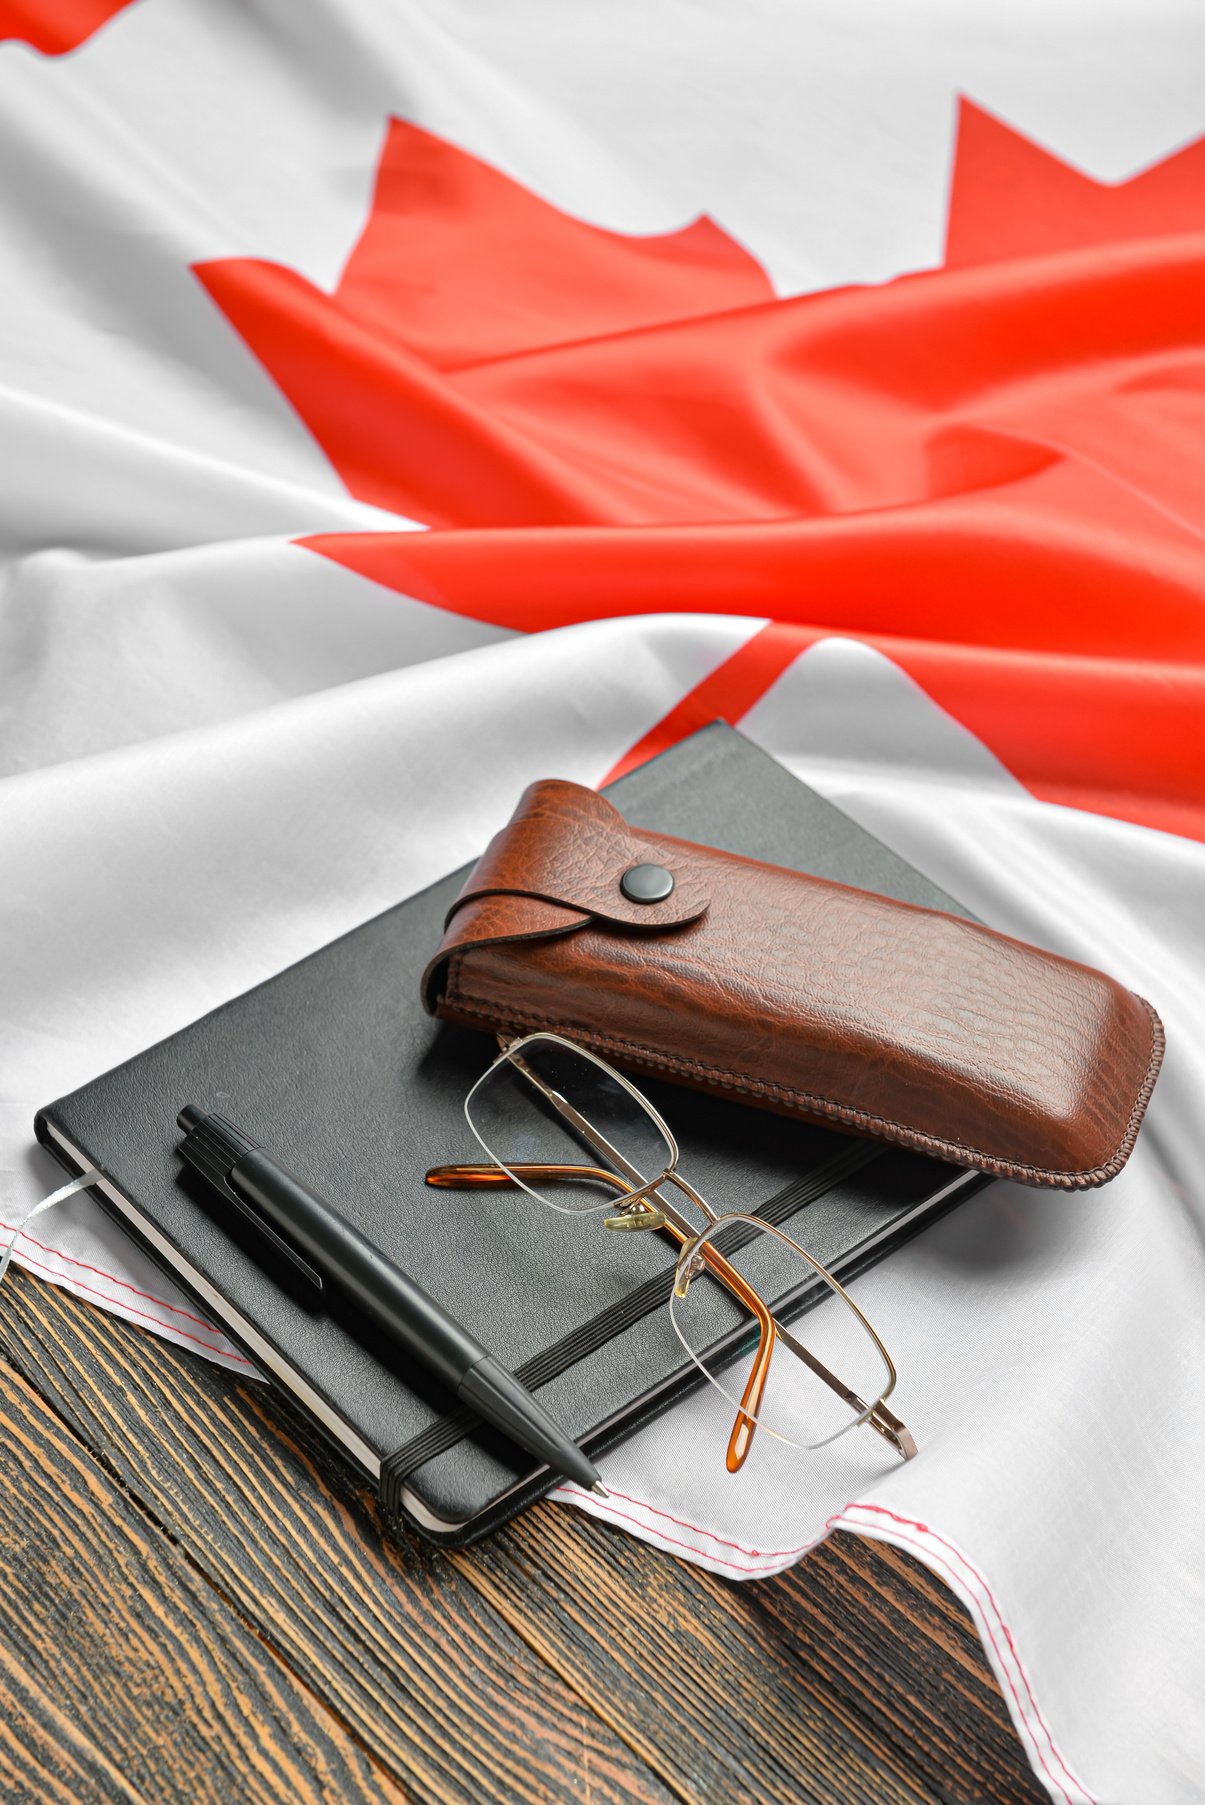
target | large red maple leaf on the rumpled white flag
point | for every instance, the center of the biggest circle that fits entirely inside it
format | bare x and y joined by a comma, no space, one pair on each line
988,470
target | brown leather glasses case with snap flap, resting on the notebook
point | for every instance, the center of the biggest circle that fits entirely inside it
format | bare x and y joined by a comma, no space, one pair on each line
802,995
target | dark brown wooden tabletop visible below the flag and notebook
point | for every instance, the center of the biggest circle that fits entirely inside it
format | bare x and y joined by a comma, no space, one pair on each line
194,1609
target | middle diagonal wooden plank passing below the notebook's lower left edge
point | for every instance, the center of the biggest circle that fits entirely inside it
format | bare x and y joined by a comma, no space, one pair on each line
389,1634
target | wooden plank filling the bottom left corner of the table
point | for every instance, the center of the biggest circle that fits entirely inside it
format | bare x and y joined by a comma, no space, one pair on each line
124,1672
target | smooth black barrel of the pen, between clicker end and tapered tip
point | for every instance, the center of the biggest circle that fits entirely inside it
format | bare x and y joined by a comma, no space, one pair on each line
358,1270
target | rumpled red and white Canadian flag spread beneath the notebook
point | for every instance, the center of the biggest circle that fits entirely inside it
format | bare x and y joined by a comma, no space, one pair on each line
407,403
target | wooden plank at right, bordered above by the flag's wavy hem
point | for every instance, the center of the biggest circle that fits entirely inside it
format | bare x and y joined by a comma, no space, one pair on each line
836,1671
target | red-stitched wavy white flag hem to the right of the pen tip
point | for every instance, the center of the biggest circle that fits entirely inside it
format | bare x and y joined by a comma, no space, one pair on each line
921,1542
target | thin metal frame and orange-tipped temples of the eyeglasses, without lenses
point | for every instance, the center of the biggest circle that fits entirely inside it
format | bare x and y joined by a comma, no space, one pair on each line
641,1208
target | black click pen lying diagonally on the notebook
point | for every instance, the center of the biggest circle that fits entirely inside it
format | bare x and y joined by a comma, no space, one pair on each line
327,1250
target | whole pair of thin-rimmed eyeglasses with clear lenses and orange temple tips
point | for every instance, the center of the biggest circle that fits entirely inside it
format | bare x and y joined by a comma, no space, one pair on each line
739,1281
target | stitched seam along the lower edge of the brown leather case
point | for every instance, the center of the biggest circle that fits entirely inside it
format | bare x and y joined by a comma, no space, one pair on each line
816,1106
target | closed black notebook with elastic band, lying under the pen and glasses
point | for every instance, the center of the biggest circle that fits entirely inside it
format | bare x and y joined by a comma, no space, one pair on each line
335,1066
